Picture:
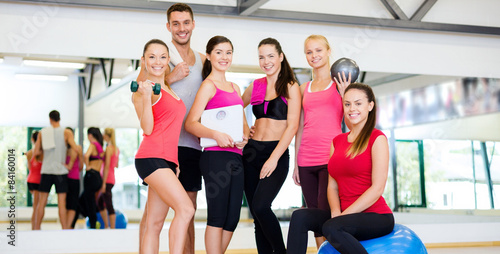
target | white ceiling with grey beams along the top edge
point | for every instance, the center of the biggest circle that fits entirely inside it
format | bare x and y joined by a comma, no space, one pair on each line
478,17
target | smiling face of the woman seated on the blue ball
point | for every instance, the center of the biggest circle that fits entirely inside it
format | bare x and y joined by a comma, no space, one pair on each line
356,106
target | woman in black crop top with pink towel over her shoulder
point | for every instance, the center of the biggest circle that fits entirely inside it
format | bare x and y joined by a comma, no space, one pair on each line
276,106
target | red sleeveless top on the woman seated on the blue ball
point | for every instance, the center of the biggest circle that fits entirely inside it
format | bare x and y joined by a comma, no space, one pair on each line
354,176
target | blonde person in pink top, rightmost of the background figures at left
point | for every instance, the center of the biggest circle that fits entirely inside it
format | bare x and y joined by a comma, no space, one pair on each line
105,202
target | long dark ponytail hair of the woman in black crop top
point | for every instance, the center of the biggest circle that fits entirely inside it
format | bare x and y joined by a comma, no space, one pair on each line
286,75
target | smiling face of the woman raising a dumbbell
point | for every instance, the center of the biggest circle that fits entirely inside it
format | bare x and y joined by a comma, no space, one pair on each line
156,59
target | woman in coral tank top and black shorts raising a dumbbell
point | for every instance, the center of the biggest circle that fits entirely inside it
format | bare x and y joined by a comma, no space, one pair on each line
156,160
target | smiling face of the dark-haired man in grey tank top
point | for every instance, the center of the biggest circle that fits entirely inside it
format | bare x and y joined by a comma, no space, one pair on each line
181,25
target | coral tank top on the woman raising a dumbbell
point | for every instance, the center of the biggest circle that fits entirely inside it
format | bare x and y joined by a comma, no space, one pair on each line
168,113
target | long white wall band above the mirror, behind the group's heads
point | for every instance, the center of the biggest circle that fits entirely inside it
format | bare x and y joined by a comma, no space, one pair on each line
59,30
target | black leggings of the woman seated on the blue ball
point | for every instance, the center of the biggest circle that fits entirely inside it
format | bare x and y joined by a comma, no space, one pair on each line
343,232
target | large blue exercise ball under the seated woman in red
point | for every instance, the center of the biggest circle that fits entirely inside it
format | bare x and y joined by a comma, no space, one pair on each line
400,240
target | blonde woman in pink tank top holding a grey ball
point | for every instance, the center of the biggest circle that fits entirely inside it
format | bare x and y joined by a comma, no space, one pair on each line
320,122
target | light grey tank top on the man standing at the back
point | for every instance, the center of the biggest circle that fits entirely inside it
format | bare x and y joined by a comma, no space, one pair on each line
186,89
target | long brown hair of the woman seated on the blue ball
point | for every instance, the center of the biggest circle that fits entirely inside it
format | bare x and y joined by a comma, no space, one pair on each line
361,142
